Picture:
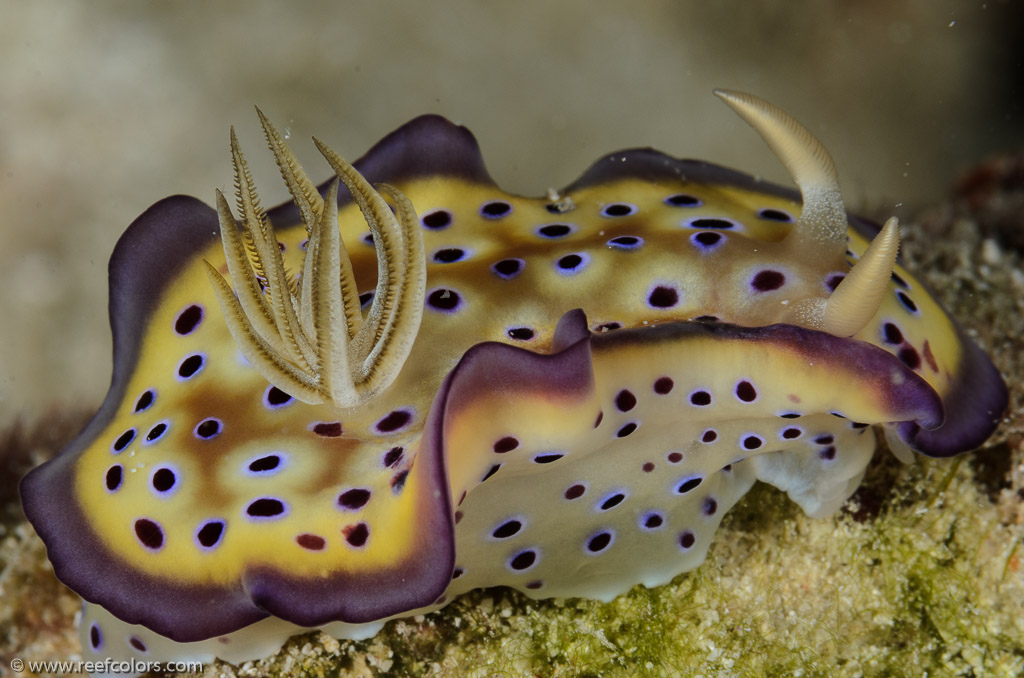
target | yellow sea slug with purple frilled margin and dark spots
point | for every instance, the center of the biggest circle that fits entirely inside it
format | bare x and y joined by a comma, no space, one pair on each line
407,384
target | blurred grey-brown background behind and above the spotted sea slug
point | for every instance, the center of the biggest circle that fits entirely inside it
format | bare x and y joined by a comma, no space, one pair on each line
108,107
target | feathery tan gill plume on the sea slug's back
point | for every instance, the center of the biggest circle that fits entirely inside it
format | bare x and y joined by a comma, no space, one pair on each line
309,336
